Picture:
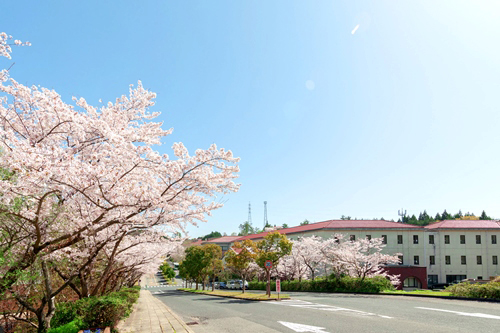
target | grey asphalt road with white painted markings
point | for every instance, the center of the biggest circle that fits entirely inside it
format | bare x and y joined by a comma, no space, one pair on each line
317,312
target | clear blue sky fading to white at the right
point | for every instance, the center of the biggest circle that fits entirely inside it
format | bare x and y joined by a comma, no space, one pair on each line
336,108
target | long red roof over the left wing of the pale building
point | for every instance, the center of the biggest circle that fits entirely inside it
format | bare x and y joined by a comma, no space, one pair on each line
339,224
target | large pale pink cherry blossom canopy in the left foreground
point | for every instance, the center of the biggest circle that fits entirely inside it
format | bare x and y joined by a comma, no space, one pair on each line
77,170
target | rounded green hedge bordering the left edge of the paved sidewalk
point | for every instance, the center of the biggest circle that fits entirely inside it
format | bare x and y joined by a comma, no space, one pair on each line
96,312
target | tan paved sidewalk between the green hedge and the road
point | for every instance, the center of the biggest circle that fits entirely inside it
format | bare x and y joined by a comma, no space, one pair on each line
150,315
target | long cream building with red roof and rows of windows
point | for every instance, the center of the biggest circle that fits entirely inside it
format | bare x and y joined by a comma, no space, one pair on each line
442,252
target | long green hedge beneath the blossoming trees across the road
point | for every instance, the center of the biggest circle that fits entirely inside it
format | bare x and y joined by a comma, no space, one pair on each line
344,284
